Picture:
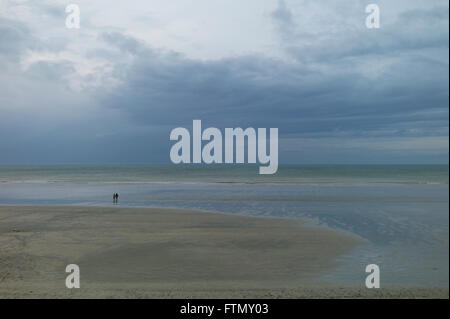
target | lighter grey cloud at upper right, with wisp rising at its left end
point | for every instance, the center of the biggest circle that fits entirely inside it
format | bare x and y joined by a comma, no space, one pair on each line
413,30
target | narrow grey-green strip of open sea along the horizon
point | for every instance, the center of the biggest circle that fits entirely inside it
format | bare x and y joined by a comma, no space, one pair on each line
246,175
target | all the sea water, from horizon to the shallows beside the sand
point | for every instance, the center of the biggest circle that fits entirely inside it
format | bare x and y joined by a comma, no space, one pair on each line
401,212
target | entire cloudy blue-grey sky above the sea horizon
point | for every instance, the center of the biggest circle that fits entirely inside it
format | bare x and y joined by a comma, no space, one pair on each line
112,90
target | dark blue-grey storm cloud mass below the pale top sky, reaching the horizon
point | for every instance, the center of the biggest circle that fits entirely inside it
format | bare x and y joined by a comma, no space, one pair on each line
351,96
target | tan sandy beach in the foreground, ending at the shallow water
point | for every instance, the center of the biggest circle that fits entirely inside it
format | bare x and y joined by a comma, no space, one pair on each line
168,253
